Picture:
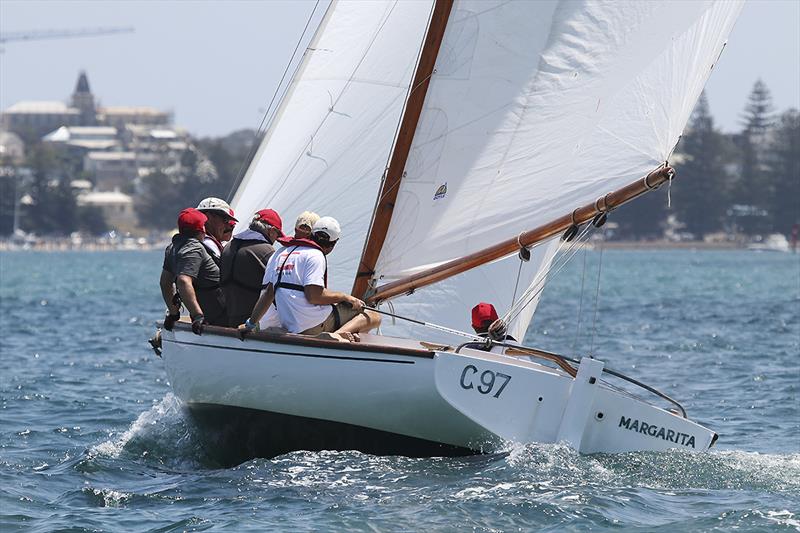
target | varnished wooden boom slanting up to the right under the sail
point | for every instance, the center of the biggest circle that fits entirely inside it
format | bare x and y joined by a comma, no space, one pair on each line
579,216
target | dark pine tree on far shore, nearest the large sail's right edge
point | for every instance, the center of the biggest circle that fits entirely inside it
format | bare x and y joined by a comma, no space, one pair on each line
699,190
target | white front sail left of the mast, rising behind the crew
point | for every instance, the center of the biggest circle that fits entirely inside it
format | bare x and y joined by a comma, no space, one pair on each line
327,147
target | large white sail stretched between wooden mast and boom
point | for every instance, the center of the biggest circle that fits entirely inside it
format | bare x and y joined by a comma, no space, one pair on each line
536,108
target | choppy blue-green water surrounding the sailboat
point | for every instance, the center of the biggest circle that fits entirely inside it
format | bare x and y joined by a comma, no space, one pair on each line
91,438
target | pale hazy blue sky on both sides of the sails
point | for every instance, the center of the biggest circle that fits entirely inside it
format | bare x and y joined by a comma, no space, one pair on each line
216,65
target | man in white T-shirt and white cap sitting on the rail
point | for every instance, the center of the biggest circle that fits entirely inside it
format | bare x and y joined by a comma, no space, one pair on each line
296,280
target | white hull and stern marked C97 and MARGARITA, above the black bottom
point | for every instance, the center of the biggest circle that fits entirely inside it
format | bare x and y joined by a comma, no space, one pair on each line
472,399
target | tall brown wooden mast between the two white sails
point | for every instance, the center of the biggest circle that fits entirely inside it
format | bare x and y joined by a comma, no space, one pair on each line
405,135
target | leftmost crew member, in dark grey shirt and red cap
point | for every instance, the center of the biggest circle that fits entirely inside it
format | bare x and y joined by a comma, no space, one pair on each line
194,273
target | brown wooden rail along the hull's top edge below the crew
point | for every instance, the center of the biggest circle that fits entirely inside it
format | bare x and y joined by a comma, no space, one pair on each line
304,340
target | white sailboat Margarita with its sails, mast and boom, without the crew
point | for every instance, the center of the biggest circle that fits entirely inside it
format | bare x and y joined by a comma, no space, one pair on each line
451,137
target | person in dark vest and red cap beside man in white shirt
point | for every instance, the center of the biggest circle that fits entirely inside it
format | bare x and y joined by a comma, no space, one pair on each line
243,261
